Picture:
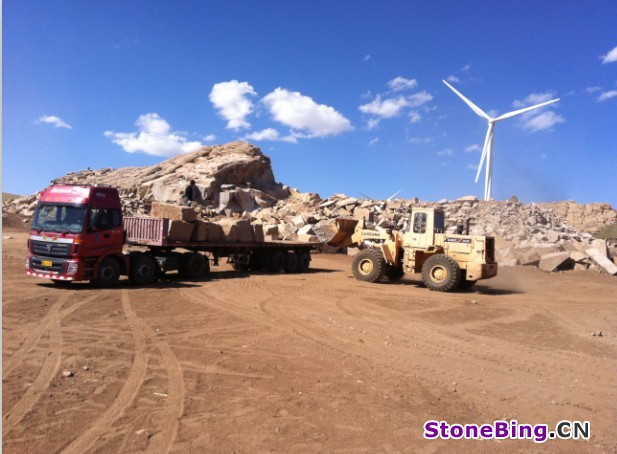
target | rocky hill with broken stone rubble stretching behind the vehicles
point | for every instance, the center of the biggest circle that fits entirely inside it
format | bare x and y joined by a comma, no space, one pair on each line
236,180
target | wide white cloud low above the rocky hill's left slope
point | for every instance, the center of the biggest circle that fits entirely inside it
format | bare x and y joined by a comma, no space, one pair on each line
154,137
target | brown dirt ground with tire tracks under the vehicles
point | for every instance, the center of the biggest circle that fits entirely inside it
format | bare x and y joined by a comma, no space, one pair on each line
315,362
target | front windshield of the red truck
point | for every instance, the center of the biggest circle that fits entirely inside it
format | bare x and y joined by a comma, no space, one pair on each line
61,218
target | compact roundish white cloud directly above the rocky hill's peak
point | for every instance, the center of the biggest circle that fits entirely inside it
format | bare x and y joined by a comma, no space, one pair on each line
233,103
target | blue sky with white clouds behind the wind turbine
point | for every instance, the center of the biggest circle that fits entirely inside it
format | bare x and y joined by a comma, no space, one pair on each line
343,96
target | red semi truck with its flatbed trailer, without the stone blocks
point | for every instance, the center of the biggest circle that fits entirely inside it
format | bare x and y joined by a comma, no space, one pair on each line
79,233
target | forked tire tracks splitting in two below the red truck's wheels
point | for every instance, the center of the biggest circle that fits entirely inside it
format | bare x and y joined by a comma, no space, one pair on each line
162,440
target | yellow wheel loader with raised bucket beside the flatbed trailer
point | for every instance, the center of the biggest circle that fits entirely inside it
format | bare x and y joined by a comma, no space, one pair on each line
448,262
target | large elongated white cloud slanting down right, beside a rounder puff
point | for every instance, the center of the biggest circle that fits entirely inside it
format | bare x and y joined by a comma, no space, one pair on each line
302,113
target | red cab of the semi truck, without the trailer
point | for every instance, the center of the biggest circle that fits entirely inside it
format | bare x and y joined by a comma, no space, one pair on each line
76,232
